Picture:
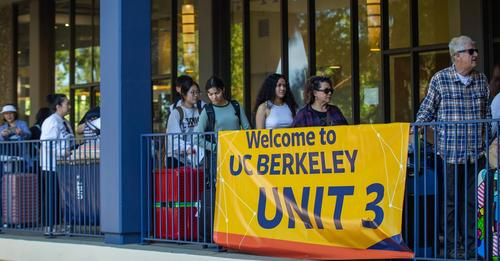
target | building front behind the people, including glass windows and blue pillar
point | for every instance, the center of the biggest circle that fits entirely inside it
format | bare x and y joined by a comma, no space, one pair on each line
125,55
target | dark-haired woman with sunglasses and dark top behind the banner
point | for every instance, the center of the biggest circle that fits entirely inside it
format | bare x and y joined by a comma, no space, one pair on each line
317,111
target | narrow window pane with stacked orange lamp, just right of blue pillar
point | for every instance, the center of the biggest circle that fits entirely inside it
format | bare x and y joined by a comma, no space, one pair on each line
188,38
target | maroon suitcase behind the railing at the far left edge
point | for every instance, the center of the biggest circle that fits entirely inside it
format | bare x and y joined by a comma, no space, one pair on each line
19,199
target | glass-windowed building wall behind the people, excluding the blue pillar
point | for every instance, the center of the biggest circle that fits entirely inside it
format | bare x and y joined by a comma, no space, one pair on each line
380,54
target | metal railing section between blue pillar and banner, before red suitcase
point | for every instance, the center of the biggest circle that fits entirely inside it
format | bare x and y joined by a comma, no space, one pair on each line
178,175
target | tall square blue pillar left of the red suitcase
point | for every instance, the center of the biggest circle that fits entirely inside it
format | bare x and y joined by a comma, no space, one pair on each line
126,114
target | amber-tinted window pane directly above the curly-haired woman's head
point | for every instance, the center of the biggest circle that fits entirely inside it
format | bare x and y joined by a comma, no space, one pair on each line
265,34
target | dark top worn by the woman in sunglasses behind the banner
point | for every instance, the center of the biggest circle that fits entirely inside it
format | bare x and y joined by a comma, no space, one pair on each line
307,117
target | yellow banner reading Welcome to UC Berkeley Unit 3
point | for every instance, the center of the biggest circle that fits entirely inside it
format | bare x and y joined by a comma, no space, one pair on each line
304,192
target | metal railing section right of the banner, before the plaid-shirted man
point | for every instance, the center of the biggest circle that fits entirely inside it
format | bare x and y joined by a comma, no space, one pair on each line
451,200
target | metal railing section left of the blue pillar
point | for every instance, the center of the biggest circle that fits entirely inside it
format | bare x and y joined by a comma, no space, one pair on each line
50,186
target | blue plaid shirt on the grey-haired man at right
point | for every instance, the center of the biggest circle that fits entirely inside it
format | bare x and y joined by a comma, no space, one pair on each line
448,99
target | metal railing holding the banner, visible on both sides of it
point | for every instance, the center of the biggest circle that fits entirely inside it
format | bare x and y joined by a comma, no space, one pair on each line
445,159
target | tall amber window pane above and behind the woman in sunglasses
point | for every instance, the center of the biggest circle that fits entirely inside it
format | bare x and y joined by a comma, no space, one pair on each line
333,50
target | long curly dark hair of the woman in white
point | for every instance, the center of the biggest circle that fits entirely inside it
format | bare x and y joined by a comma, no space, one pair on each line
268,92
